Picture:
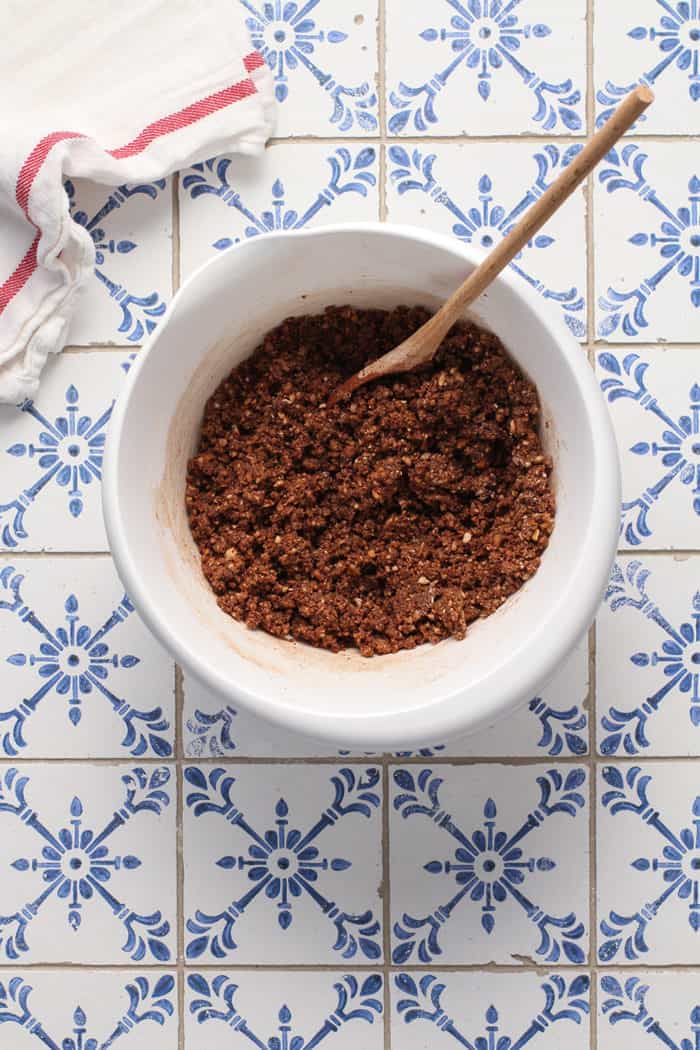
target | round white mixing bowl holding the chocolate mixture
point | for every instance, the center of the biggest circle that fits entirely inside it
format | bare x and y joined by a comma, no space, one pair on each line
412,699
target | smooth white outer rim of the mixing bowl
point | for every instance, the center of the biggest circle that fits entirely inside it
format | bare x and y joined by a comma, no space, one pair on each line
442,717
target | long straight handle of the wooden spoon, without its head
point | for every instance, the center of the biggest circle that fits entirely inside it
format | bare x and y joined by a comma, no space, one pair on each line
536,218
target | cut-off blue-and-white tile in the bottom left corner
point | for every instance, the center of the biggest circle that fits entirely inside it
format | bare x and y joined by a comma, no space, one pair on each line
95,1010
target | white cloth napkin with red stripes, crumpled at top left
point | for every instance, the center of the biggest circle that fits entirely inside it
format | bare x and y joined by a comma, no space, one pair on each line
117,93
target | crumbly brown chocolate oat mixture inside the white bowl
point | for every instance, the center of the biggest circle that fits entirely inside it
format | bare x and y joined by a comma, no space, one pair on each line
396,518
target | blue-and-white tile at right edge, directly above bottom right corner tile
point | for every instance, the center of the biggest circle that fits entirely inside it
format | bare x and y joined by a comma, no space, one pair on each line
649,865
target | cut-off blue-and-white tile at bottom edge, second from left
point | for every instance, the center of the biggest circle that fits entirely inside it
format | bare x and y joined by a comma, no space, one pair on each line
284,1011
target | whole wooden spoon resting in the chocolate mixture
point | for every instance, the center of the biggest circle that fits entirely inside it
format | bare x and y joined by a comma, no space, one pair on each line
422,346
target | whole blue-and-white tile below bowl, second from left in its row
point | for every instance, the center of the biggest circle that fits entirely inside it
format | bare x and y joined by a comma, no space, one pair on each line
283,865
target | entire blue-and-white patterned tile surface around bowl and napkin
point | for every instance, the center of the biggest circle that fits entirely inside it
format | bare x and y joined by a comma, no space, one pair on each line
176,875
